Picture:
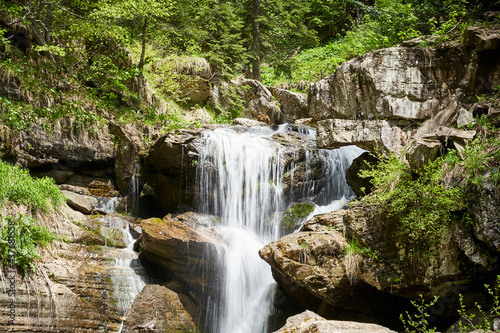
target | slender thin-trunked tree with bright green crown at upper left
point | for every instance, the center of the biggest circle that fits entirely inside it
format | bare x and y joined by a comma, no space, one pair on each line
141,12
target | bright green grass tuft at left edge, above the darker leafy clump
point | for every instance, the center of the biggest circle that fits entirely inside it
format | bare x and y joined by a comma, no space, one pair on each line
17,186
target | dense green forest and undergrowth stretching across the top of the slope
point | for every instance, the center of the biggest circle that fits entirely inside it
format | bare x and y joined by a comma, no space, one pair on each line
105,52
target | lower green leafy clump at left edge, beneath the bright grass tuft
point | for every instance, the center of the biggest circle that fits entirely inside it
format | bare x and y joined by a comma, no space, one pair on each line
22,235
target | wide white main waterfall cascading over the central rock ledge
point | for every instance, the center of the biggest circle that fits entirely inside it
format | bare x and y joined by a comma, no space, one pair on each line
241,176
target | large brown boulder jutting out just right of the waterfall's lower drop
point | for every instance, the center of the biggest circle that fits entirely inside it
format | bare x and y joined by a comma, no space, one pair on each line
311,268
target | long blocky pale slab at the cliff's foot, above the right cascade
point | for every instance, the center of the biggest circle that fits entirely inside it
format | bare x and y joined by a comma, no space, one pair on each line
388,135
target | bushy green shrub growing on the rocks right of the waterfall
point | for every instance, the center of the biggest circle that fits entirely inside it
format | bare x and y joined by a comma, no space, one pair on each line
420,202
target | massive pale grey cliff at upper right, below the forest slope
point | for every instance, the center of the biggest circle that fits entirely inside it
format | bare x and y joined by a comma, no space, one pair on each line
374,91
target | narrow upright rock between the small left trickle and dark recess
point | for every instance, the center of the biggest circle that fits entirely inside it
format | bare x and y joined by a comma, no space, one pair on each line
129,144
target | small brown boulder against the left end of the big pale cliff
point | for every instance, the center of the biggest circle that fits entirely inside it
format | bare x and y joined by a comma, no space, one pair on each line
293,105
